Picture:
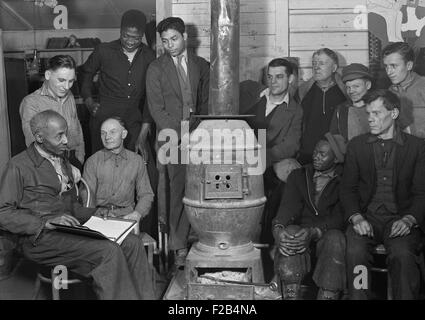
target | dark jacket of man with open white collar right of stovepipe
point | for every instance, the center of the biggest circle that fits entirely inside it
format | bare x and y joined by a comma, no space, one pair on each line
283,128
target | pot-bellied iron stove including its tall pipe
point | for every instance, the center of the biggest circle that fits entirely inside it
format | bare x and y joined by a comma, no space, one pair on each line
224,197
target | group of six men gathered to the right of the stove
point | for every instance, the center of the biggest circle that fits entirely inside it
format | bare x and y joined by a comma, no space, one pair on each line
357,180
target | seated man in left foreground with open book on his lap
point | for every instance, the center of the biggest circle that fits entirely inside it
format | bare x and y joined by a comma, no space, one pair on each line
37,191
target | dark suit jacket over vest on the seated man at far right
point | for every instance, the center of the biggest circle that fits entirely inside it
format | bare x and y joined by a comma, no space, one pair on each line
359,178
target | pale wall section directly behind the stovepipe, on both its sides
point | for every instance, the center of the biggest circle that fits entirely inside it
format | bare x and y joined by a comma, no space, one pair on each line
263,31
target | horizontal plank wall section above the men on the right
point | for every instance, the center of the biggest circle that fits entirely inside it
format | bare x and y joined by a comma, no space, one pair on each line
315,24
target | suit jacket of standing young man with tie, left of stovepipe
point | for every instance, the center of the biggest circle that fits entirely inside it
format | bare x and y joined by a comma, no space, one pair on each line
164,95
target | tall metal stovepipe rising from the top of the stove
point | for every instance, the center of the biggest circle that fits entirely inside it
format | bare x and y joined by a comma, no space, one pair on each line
224,69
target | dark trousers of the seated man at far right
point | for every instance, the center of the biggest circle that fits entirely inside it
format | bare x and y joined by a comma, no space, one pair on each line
402,259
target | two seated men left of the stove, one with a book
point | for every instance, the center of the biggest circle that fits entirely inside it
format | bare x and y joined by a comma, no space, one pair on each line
38,188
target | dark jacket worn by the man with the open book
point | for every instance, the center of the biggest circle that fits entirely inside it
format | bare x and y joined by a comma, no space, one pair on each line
30,194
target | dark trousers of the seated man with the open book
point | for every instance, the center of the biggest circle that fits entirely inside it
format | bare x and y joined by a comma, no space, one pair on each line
117,272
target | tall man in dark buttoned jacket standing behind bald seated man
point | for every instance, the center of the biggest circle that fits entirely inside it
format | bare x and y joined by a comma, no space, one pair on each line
122,66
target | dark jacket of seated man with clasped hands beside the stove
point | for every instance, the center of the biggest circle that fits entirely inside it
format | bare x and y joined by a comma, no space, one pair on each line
298,207
